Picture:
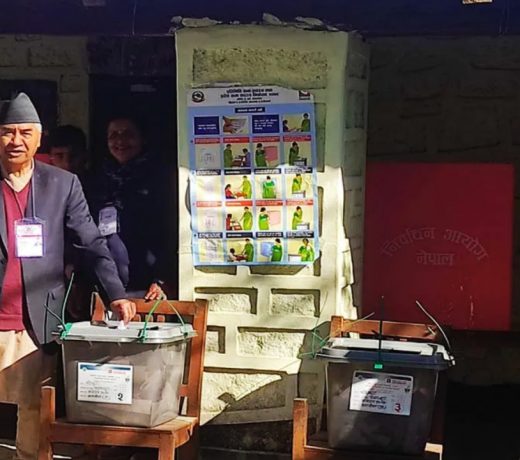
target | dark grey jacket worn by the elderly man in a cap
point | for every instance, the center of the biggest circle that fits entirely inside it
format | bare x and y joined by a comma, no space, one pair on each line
59,201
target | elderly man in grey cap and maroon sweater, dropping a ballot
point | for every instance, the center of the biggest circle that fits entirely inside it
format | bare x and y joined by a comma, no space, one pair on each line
38,205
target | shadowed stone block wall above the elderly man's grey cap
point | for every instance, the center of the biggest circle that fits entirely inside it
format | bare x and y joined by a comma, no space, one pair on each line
58,59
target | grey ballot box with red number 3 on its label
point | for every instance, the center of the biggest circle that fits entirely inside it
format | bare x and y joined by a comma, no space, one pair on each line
381,395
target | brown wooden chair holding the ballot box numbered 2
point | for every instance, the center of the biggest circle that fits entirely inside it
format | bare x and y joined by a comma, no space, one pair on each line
182,431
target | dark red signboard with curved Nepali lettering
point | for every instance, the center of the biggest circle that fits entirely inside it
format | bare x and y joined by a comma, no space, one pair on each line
440,234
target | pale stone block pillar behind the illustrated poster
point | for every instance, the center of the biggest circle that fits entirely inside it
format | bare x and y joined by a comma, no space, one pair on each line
261,318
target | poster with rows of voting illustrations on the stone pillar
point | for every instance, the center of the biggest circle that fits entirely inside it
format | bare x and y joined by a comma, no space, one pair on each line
253,176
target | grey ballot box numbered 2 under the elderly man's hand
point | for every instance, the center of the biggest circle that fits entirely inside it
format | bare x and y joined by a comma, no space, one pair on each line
127,377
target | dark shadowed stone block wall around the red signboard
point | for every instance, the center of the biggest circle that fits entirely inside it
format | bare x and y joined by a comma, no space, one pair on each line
453,100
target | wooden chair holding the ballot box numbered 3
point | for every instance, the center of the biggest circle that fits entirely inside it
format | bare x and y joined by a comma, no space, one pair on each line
315,447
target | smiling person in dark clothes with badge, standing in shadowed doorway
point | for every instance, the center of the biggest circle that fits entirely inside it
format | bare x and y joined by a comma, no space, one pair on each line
126,195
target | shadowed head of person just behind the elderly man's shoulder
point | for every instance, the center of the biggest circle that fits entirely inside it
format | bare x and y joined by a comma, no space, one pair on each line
68,149
